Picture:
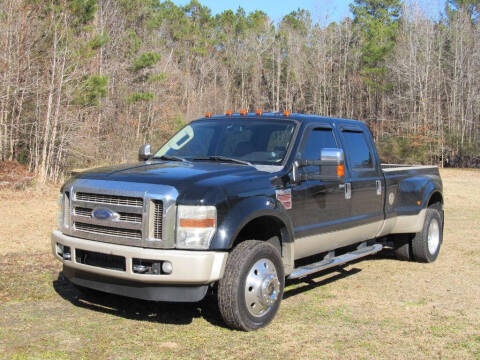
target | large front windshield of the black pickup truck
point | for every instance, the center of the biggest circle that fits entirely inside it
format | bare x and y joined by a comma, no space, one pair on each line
252,141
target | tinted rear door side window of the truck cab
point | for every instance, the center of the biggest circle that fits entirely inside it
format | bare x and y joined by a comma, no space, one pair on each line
358,152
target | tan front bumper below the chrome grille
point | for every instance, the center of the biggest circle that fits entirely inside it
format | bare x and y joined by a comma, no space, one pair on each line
190,268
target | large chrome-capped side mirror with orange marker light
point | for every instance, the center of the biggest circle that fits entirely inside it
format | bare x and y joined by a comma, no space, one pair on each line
331,167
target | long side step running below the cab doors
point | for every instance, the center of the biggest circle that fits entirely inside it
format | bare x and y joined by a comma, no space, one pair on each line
330,261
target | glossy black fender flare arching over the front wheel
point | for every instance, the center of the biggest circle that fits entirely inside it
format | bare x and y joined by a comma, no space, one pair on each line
245,211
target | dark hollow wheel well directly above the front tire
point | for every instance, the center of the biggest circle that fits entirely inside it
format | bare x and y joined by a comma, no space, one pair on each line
263,228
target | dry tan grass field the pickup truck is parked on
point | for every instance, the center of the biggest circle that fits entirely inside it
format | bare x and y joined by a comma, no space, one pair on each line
377,308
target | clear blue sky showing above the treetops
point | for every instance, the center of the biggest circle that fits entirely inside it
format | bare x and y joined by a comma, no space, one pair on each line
323,11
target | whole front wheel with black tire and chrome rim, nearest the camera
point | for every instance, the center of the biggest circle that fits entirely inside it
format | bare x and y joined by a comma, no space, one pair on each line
251,289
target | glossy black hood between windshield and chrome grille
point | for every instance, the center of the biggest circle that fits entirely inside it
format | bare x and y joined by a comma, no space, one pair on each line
198,181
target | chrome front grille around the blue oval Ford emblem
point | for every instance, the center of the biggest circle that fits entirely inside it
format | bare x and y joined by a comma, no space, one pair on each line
147,214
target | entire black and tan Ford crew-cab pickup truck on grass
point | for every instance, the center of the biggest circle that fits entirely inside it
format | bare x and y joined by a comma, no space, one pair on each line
236,204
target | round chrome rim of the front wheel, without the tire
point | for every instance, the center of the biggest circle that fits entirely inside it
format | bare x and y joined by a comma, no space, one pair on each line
261,287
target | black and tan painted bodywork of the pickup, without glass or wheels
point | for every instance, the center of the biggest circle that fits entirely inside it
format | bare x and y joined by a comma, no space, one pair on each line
381,200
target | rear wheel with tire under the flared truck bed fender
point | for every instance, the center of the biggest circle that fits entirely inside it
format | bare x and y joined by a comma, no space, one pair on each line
426,244
